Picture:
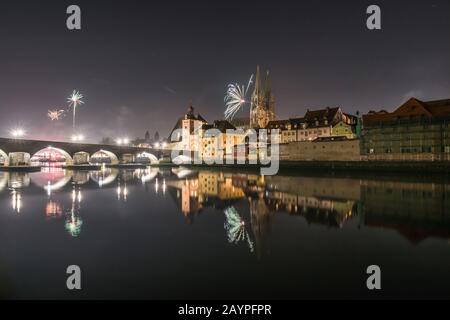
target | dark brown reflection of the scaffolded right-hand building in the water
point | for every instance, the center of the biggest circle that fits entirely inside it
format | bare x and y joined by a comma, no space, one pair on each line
417,210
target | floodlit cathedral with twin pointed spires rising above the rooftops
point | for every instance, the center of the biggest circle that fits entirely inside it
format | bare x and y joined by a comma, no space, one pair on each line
262,109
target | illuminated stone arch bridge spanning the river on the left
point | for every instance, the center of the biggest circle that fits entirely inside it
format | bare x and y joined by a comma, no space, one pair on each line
16,152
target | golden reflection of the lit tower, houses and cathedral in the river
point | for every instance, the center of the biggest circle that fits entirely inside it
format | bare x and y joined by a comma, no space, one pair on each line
317,200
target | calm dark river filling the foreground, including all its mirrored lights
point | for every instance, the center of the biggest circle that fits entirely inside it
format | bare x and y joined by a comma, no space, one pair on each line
180,233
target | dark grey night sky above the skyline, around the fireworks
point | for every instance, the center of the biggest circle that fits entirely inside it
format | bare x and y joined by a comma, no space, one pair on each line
140,63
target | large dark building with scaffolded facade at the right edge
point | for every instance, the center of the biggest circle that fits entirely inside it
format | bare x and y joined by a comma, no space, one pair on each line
415,131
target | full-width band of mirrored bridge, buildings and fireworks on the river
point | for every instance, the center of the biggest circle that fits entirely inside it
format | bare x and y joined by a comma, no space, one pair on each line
248,202
